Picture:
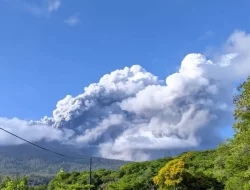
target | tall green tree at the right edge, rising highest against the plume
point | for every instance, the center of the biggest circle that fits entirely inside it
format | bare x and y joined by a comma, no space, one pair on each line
233,162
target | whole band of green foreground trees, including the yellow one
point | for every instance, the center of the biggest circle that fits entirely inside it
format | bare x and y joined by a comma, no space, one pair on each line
227,167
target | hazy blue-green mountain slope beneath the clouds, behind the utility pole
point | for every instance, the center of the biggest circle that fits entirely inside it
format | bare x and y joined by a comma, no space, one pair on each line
28,160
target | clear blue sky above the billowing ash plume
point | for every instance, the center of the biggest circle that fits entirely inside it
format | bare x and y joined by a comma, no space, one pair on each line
53,48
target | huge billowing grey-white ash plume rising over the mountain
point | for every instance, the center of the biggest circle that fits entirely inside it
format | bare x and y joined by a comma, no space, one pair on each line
131,114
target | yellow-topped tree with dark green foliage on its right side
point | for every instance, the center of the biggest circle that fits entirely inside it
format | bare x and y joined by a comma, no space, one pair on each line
185,173
